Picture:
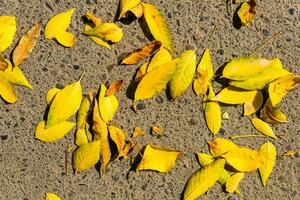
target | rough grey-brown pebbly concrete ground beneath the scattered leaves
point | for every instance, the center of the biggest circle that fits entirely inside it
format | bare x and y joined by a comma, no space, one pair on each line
29,168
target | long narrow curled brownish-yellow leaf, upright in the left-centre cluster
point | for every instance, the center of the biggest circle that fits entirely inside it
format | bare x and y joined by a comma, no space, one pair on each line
101,133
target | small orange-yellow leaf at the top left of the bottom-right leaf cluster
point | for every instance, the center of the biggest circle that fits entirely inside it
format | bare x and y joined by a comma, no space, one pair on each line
220,146
